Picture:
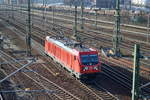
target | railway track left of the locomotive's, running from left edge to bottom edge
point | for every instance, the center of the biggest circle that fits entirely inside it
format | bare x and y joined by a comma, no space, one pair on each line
45,82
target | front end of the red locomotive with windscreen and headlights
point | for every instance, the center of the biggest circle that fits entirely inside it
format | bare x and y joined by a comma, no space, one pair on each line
89,63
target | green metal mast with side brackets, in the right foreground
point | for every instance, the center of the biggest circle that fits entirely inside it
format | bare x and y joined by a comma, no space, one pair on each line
136,88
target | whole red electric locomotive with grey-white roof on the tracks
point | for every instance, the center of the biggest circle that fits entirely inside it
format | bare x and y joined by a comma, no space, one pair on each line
79,60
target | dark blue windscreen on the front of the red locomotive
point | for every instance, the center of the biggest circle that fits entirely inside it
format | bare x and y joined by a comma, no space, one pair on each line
89,60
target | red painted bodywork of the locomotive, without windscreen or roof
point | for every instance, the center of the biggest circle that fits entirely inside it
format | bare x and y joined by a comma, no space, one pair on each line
69,59
